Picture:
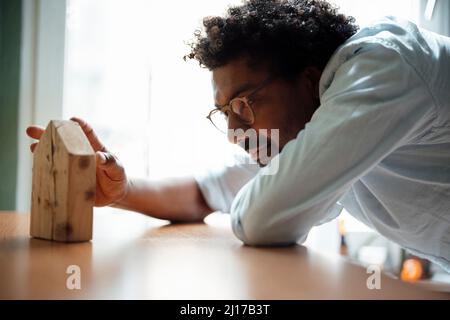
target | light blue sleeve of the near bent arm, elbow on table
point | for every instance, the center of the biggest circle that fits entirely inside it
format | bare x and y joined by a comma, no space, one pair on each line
375,103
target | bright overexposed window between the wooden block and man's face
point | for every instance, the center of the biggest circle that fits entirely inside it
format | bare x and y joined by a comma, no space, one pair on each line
125,74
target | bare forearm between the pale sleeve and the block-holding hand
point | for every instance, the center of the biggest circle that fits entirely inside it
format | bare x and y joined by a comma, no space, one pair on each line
177,199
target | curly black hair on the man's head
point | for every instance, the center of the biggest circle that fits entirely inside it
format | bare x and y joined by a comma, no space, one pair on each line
288,34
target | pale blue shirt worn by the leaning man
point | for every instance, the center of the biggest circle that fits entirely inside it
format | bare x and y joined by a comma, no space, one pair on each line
378,145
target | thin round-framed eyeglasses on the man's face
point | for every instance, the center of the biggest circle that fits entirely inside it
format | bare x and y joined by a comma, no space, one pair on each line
239,107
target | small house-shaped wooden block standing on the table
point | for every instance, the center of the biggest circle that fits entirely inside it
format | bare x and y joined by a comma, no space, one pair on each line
63,187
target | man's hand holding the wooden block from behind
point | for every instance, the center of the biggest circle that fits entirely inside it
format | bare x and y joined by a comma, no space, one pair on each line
112,182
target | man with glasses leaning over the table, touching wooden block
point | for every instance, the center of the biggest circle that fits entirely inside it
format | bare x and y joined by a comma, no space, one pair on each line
363,120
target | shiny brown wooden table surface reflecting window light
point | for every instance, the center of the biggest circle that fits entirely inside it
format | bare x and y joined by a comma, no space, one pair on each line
133,256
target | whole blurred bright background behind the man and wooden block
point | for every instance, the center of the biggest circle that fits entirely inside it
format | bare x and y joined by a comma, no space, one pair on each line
119,65
